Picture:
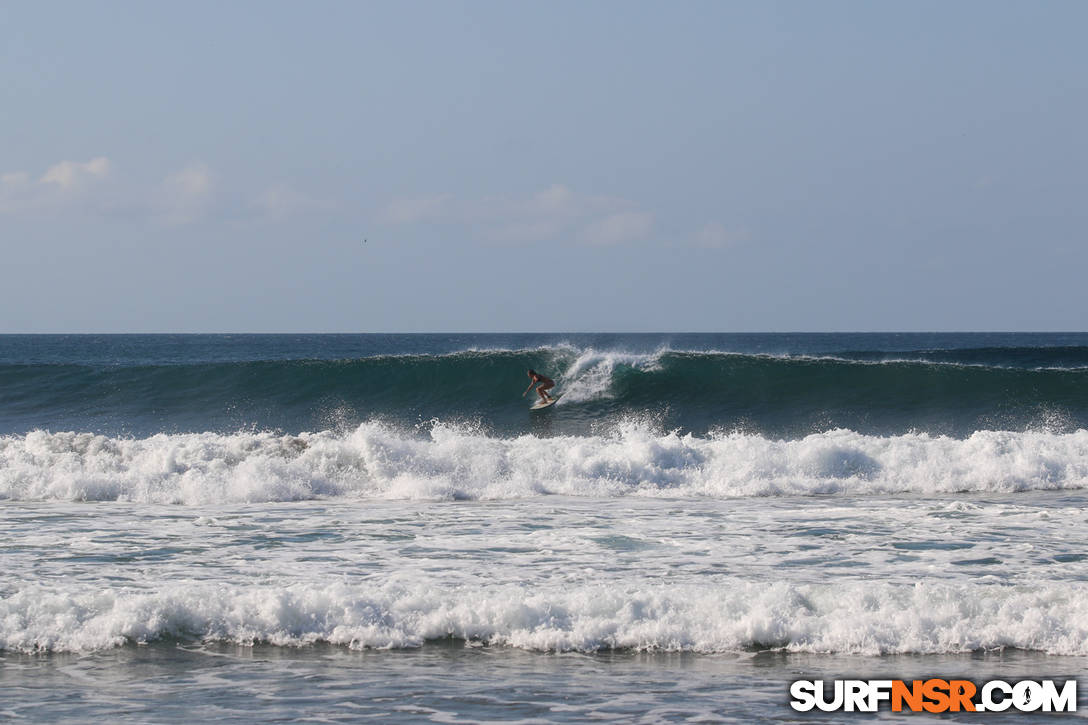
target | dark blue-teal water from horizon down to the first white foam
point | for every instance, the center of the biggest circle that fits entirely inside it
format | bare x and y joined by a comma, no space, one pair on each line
771,385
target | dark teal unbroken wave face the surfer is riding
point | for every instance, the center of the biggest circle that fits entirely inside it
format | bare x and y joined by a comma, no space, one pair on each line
955,391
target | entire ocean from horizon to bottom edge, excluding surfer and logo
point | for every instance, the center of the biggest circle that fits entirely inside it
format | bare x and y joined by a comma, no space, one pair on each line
349,529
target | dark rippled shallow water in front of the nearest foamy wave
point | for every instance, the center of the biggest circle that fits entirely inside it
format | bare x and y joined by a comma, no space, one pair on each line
454,684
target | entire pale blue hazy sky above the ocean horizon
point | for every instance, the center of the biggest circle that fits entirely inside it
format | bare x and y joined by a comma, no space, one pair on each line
545,167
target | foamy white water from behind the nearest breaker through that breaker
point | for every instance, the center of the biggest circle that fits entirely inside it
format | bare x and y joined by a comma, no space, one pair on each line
825,575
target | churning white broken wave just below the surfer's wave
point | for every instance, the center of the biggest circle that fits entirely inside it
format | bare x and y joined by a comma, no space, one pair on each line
450,463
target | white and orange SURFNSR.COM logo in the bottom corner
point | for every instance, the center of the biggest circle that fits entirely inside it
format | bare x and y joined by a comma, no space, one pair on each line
935,696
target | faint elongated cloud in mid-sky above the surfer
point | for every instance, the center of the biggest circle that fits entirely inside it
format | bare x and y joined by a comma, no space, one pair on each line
554,213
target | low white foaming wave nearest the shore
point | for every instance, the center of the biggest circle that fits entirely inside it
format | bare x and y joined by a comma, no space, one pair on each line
852,618
